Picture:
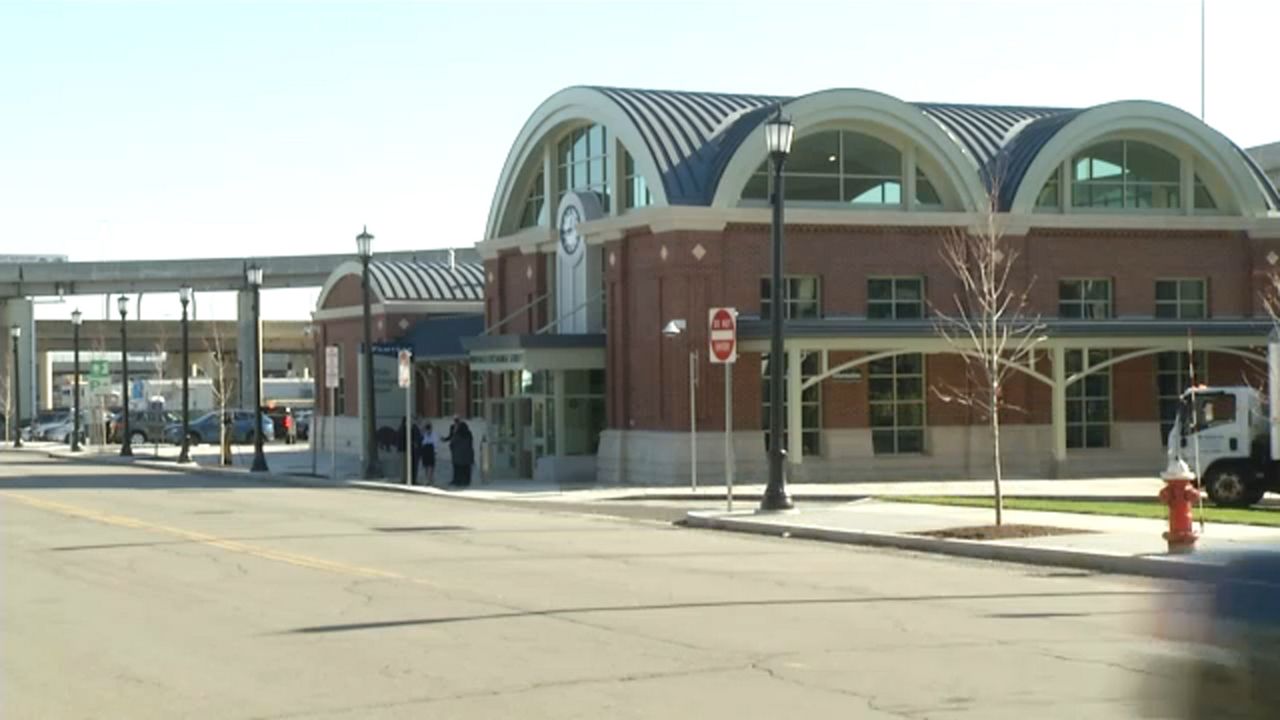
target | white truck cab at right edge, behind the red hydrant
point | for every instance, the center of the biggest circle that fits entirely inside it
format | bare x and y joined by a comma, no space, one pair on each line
1223,435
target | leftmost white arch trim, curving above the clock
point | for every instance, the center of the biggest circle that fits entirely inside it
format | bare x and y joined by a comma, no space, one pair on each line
569,107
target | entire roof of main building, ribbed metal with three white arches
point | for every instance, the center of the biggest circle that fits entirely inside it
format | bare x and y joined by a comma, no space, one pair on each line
687,143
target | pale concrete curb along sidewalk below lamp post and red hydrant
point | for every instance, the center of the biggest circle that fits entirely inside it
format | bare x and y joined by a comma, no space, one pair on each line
1151,567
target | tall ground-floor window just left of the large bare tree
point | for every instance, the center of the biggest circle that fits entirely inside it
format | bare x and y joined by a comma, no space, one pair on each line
895,394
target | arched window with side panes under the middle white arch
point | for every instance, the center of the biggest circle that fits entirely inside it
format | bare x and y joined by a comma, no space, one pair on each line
844,167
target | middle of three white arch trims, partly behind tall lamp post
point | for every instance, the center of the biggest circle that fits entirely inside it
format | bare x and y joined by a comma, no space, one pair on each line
833,107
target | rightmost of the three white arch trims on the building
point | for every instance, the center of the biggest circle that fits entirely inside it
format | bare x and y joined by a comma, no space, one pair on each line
1145,117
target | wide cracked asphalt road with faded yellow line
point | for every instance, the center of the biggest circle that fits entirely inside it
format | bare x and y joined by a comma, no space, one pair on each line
134,595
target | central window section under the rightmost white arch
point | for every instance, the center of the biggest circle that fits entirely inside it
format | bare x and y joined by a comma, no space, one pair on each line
1127,175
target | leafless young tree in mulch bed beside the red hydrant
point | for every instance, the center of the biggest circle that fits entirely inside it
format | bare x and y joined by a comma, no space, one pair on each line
990,323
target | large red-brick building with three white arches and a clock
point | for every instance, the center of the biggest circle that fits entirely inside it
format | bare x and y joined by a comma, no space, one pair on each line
619,211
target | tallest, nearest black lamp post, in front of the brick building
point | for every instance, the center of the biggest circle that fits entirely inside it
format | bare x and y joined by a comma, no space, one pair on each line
779,133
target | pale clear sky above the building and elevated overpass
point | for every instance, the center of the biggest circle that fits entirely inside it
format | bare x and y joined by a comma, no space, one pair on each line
171,130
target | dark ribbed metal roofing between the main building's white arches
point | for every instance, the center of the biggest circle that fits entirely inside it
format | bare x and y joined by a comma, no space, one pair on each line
693,136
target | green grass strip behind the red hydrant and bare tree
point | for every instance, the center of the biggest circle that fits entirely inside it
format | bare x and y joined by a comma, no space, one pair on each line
1101,507
